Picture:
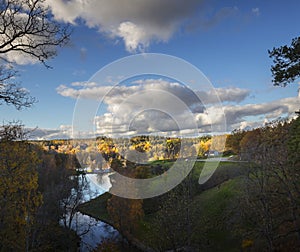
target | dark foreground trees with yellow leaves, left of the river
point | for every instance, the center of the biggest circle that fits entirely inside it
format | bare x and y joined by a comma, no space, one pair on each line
33,185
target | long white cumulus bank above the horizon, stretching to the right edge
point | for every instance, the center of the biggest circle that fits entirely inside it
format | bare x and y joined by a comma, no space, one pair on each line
164,107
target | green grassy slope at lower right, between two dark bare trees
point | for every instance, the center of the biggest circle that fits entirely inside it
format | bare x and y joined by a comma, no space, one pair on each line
217,207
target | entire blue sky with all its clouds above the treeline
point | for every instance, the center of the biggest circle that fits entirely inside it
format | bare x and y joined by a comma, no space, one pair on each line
228,41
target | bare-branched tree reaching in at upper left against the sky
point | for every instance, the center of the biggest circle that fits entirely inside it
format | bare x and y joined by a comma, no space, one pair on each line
27,30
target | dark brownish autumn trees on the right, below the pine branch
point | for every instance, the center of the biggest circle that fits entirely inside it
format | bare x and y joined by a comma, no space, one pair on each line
272,185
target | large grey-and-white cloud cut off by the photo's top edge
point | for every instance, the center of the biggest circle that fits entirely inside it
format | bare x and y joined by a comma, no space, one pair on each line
136,22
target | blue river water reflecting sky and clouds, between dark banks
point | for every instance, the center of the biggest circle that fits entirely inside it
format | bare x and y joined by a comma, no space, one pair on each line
90,230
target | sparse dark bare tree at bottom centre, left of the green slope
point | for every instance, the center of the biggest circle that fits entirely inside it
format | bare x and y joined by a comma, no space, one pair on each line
174,220
